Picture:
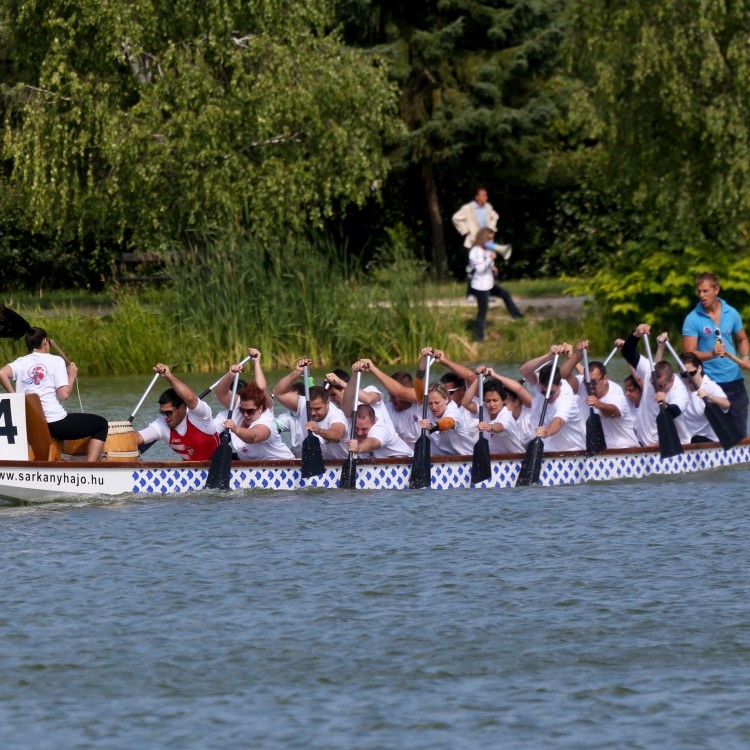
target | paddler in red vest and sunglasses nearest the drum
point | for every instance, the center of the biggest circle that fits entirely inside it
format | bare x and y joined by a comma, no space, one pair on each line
185,422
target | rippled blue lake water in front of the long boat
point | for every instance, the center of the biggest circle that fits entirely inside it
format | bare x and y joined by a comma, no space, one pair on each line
602,616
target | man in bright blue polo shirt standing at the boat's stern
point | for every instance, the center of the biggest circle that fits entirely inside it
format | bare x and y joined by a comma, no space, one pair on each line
712,322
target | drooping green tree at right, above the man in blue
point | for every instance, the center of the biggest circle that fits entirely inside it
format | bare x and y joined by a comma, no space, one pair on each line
664,97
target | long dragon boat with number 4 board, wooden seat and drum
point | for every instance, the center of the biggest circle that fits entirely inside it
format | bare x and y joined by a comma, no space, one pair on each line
35,468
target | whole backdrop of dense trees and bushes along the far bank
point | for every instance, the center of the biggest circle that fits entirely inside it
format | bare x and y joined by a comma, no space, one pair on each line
612,136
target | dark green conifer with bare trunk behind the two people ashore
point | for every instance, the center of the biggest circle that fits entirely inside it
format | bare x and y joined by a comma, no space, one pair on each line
477,93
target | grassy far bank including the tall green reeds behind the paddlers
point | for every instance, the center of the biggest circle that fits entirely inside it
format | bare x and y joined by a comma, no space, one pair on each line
297,297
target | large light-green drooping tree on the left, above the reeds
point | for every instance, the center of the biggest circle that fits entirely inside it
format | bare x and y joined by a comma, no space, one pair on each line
140,121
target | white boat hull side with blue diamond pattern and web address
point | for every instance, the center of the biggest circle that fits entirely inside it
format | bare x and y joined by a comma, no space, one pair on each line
44,481
